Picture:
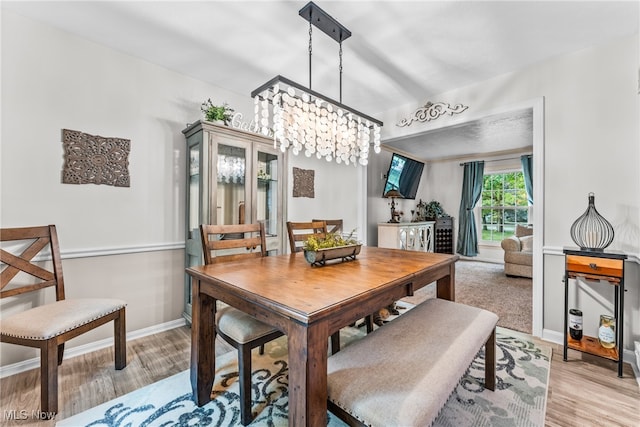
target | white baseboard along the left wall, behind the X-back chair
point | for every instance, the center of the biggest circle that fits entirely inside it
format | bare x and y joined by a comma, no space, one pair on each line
16,368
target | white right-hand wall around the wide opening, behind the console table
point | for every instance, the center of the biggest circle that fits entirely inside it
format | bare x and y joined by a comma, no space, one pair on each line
591,135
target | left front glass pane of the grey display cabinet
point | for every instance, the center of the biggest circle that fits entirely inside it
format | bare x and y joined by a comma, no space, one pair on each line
231,191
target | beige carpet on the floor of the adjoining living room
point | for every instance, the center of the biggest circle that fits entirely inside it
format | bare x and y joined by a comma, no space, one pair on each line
484,285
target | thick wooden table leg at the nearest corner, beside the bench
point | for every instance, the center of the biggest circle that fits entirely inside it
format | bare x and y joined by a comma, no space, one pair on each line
308,374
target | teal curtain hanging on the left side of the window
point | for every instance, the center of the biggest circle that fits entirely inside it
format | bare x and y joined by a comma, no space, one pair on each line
471,192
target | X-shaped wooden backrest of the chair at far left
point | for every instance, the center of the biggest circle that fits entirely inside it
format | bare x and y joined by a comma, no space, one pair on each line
14,263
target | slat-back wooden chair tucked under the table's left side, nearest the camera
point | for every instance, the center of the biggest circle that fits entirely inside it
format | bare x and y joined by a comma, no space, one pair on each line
222,243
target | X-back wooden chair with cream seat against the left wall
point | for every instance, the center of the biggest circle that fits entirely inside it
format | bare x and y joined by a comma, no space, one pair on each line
26,268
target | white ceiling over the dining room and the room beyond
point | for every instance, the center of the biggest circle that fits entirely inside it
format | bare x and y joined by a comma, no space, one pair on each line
400,52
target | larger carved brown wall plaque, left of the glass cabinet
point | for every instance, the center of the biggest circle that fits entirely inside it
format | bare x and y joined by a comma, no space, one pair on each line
93,159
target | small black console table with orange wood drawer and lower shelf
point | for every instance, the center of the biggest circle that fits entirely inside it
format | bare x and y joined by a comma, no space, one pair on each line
591,265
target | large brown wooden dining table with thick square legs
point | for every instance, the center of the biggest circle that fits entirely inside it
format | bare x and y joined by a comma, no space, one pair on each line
308,303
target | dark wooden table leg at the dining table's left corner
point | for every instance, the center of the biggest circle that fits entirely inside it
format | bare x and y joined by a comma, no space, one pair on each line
203,337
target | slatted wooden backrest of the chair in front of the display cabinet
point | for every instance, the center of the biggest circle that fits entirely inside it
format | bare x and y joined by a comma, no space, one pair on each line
223,243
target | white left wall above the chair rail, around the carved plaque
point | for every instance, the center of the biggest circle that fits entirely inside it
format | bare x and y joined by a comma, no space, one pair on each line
53,80
